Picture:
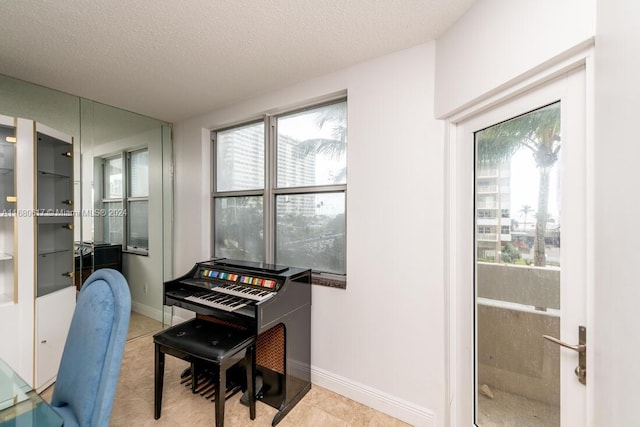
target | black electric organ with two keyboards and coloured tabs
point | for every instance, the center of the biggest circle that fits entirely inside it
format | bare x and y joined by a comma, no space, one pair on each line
271,301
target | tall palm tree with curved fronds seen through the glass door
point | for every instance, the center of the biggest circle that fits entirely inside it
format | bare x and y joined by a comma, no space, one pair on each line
539,132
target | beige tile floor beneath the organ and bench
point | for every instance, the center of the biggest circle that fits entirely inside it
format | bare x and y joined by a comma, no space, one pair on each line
133,405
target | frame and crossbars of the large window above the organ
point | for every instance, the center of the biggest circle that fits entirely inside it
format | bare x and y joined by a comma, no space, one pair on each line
270,192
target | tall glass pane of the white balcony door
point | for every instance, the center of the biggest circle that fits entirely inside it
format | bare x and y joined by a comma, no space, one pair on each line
518,263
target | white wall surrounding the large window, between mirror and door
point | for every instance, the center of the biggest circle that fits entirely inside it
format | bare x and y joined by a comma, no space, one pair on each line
381,340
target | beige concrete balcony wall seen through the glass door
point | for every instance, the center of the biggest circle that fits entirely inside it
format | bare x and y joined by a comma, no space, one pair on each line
516,305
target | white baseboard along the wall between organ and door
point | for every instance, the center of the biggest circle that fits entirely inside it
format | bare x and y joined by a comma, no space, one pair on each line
376,399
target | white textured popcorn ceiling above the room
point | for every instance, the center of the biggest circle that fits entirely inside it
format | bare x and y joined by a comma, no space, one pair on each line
174,59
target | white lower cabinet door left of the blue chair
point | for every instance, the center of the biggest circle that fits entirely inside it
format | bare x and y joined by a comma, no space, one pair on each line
53,318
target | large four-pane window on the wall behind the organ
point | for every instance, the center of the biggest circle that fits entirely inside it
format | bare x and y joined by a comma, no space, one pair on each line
279,196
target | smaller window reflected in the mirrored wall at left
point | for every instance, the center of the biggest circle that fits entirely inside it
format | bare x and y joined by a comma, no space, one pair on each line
125,200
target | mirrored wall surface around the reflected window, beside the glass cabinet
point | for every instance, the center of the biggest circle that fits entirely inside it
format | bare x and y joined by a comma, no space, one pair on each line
100,131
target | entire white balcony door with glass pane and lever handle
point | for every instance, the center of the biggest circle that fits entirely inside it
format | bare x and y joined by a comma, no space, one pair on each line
519,248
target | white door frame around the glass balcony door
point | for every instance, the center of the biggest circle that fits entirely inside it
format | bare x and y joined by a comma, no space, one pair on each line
458,230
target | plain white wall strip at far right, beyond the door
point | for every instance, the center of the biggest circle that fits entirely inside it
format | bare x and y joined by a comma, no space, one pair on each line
617,293
